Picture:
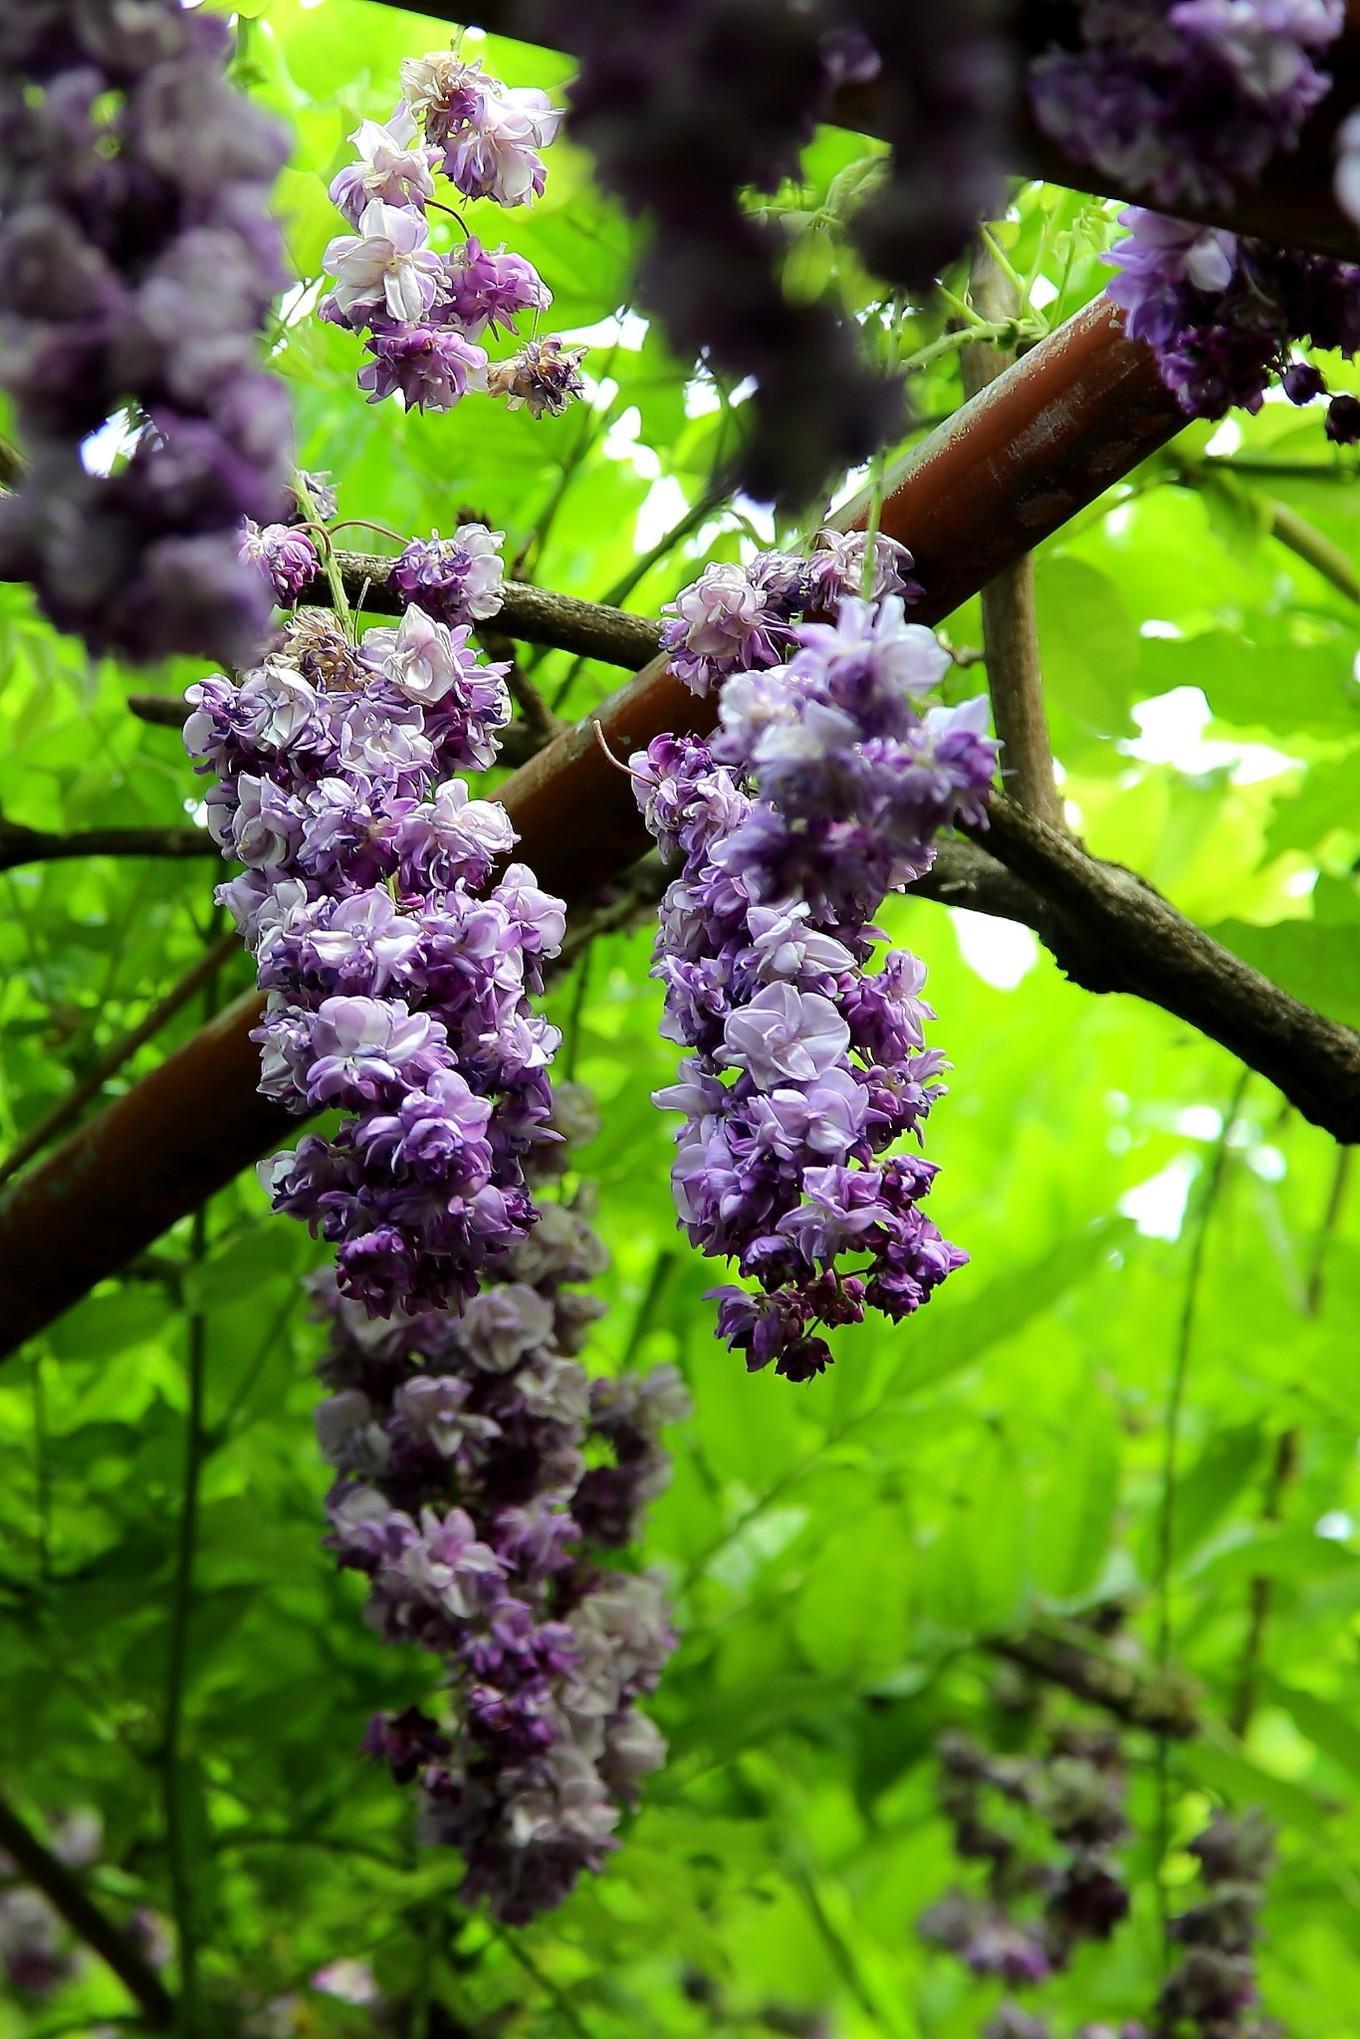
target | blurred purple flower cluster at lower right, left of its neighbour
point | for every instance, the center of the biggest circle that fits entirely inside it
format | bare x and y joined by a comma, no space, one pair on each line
1010,1814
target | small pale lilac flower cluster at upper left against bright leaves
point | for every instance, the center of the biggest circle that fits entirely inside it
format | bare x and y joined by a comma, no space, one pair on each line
425,317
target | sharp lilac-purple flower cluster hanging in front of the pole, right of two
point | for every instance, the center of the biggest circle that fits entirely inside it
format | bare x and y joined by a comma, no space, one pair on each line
823,792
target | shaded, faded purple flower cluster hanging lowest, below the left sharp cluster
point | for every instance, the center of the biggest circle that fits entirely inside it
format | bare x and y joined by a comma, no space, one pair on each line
468,1500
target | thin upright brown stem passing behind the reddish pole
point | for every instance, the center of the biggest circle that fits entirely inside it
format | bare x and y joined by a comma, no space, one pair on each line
1010,625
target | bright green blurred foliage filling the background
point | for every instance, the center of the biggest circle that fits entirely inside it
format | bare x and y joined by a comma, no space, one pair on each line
845,1555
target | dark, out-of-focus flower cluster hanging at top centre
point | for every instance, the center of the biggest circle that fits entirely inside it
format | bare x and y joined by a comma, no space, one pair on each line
684,109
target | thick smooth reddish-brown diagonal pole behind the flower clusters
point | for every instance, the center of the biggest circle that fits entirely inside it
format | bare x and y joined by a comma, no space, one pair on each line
1033,450
